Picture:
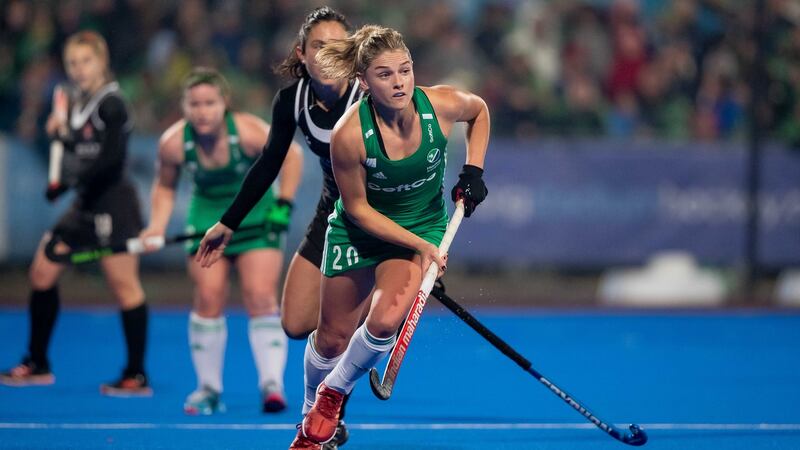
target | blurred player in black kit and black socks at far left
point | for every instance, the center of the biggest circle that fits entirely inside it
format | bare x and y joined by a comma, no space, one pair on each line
106,210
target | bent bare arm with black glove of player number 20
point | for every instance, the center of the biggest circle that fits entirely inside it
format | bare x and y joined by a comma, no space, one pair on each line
454,105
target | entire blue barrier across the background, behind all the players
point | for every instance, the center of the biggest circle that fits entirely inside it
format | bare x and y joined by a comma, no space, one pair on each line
578,204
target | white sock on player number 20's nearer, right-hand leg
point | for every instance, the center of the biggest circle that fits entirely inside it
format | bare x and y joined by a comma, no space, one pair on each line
363,352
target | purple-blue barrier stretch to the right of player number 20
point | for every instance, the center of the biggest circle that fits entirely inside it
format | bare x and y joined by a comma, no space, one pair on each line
592,204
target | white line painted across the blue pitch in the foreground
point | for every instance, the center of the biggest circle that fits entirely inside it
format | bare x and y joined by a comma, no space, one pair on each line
400,426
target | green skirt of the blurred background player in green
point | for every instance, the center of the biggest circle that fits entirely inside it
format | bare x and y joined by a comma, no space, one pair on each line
204,213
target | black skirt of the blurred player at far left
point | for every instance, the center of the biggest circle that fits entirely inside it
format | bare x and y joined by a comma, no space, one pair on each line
112,218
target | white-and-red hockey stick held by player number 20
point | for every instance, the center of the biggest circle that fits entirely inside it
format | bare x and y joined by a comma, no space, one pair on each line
382,388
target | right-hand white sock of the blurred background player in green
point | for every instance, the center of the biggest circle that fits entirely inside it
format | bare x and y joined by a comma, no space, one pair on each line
268,342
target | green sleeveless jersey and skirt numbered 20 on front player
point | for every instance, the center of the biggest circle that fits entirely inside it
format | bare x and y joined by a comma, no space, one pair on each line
408,191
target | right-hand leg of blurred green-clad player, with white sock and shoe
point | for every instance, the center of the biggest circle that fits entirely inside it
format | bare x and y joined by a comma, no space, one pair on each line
259,271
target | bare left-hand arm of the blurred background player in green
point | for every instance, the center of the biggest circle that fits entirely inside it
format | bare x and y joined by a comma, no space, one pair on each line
162,195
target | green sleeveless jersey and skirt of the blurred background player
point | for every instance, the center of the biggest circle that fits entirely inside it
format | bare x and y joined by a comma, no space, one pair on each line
213,191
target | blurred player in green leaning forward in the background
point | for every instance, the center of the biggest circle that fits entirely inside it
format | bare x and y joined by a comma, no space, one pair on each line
217,147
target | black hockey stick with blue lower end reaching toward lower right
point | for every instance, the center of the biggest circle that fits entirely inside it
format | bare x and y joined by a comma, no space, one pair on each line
635,437
